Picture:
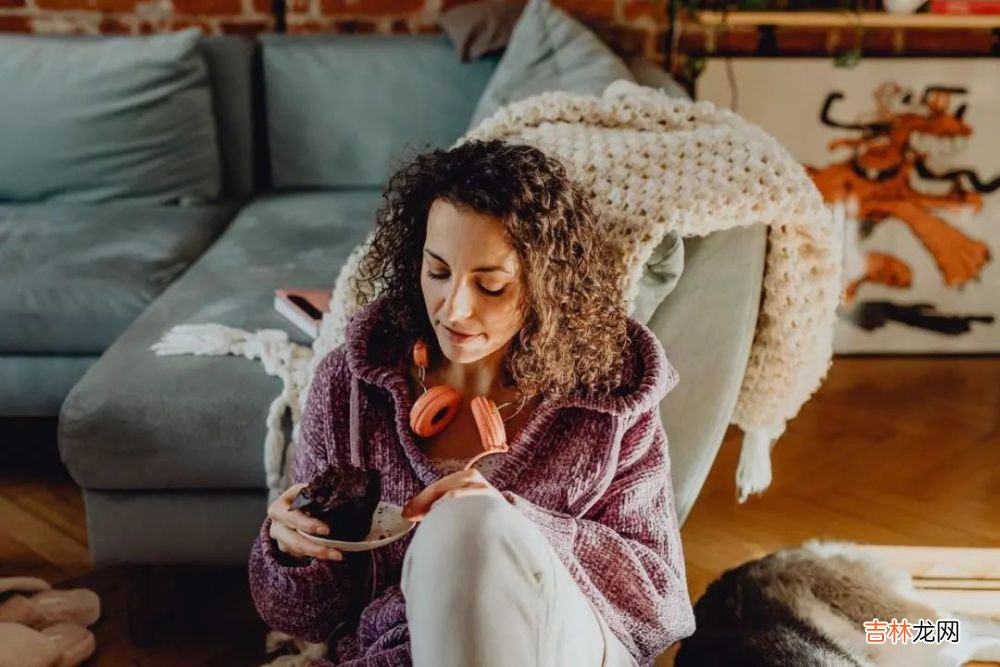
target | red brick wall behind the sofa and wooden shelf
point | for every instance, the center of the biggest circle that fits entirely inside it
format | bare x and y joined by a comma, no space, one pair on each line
633,27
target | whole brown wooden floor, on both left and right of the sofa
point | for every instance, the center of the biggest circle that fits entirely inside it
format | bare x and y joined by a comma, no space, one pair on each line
890,451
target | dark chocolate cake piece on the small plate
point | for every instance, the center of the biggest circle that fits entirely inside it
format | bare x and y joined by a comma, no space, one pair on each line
344,499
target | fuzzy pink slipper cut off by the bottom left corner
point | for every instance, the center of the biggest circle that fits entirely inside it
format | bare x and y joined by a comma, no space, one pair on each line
61,645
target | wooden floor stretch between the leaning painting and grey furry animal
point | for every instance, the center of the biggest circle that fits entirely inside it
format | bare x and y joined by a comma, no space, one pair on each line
890,451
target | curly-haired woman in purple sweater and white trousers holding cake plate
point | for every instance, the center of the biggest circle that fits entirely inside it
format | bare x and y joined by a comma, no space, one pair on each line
562,551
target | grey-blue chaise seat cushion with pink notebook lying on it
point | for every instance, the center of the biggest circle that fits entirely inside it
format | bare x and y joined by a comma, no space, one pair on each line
194,422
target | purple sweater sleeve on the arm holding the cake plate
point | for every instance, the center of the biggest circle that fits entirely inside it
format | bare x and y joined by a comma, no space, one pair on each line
308,598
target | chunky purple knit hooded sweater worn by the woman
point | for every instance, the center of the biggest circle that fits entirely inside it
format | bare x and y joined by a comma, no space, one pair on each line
593,474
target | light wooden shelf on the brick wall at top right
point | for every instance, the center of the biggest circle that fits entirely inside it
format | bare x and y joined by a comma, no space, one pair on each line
849,20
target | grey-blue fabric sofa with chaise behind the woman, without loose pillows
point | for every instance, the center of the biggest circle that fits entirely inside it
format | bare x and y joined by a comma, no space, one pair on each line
169,450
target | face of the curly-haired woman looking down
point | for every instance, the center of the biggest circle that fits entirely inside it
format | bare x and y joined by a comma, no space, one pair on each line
471,282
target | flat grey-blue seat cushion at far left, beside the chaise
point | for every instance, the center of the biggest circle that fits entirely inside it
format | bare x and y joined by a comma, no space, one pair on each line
75,276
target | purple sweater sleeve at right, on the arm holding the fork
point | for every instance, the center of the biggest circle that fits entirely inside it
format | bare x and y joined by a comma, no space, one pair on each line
625,552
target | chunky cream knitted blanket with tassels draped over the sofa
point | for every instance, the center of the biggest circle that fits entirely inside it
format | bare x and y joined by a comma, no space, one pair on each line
652,163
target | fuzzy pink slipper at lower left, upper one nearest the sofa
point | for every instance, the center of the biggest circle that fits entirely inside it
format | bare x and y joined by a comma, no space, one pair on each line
46,607
